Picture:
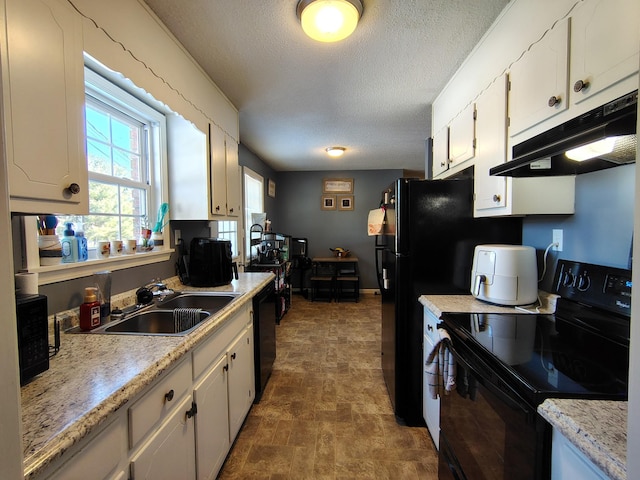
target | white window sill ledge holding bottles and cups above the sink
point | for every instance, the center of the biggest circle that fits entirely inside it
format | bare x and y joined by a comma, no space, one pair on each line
68,271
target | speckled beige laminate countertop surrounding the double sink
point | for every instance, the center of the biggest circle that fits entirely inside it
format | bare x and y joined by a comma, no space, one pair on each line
94,375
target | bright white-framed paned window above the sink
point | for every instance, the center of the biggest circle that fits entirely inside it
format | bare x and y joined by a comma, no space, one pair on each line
123,155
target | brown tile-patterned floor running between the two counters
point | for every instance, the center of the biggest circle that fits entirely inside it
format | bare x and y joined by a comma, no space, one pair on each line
325,413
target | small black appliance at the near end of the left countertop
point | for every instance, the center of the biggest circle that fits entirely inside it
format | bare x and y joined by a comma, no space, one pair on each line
33,335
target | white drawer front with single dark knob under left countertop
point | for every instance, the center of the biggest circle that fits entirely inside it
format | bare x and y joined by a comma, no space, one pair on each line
158,402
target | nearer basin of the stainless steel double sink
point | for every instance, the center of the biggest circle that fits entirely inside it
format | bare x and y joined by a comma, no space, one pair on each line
155,322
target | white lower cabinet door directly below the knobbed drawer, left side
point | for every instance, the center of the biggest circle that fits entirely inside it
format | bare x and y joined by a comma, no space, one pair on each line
169,453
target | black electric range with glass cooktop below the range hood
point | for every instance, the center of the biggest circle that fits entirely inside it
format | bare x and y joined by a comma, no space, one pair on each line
508,364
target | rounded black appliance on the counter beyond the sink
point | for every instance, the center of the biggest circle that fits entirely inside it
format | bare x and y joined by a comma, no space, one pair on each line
210,262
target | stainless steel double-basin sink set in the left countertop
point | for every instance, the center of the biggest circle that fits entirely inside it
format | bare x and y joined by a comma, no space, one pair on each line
162,318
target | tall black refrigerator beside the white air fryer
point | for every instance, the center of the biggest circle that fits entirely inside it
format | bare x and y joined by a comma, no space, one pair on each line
427,248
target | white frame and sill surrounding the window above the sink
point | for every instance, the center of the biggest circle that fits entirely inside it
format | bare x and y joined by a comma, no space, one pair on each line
111,85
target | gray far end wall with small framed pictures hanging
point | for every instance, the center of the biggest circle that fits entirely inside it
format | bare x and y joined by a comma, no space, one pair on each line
298,197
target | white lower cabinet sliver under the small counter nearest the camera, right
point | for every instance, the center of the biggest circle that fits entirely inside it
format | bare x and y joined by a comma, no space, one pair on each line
569,462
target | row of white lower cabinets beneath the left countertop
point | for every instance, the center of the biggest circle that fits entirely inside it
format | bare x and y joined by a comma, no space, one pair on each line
183,425
